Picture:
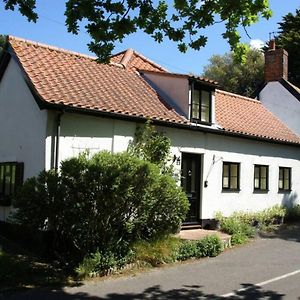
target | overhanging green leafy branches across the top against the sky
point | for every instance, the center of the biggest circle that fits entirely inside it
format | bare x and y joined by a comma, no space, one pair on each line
181,21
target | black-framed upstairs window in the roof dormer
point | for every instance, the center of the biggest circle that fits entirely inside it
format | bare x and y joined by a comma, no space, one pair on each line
200,105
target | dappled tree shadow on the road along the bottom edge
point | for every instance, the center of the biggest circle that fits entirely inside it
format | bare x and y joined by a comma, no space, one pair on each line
250,291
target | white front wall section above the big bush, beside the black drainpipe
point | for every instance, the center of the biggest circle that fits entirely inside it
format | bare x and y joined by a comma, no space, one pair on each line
82,132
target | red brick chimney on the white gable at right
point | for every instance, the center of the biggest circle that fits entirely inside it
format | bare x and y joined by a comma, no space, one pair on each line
276,63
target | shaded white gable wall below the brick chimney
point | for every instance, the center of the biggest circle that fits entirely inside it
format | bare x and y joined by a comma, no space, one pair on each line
276,98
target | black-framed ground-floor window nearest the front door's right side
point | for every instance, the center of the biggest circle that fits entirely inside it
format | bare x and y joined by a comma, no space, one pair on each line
231,176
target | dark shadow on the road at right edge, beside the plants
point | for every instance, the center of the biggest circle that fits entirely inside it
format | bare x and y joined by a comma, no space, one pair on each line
288,231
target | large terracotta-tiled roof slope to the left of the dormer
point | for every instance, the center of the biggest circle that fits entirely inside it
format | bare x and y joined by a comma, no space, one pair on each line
75,80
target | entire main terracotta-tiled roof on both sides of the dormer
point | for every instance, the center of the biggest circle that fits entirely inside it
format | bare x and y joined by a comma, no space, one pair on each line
72,80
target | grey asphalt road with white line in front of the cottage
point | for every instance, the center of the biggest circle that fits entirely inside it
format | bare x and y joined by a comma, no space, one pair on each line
268,268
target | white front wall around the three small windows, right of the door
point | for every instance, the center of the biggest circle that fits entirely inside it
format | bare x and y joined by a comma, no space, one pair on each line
247,153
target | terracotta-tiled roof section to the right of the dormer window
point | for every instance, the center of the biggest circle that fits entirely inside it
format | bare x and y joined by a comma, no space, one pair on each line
247,116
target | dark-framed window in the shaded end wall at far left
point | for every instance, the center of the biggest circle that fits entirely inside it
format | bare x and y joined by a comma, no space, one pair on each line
11,176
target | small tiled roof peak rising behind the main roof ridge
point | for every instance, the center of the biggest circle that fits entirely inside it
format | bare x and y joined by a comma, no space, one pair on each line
132,60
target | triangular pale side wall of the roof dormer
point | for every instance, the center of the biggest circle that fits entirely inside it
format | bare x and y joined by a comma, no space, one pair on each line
173,89
